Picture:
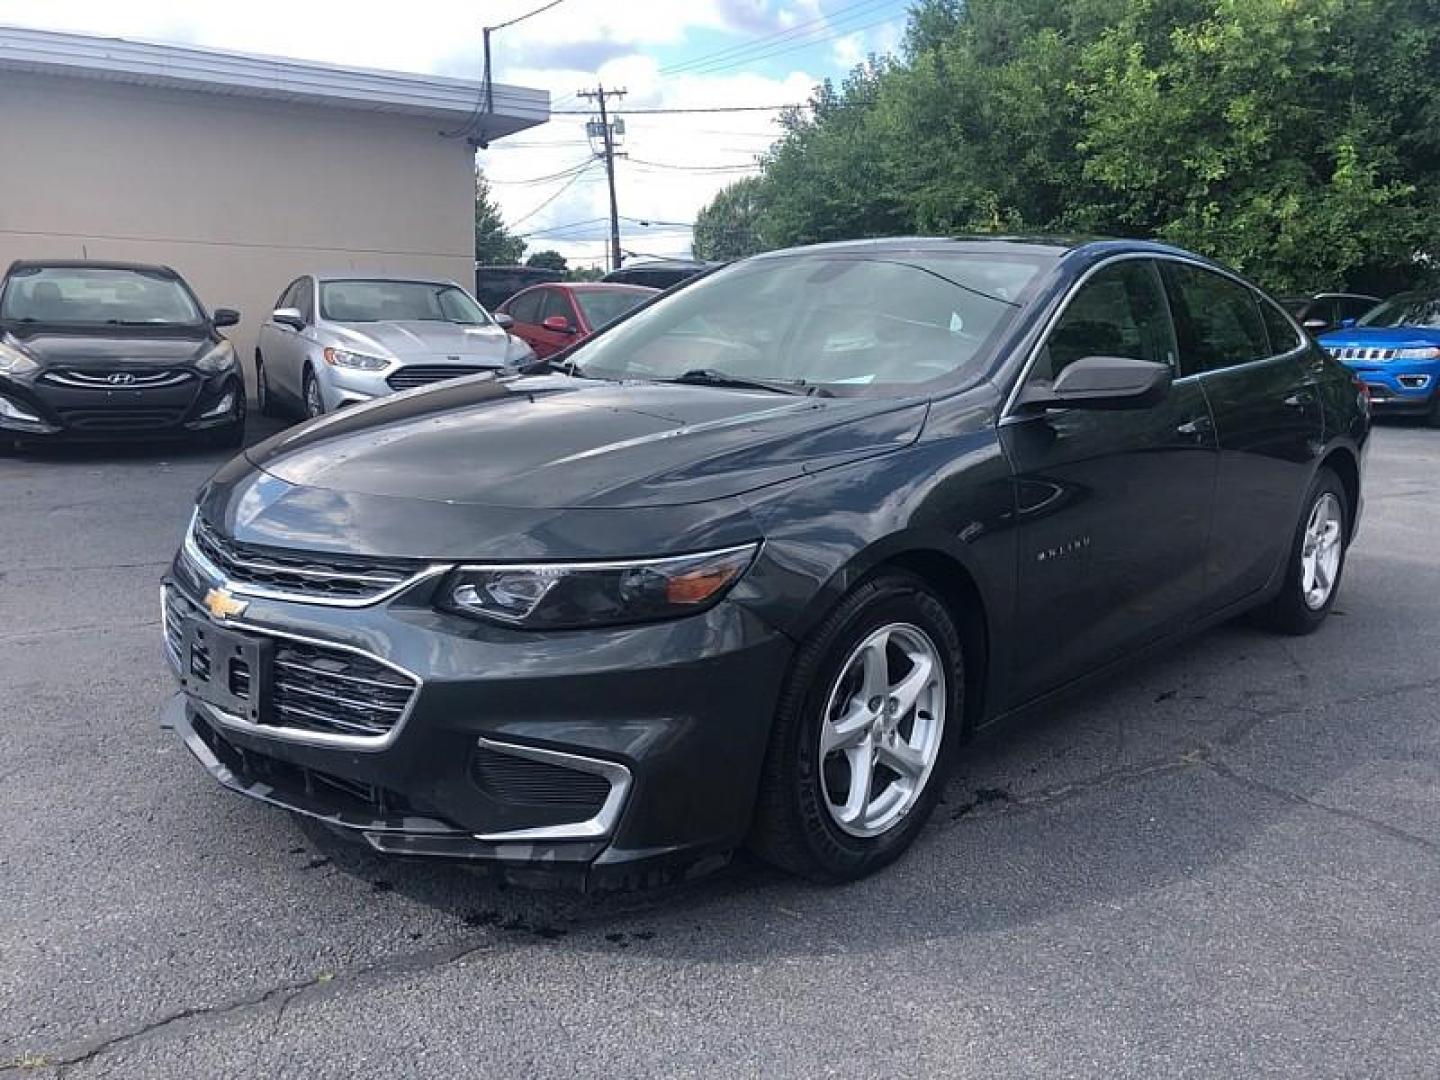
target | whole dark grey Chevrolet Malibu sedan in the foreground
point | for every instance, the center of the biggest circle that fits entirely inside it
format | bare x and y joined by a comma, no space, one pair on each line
748,567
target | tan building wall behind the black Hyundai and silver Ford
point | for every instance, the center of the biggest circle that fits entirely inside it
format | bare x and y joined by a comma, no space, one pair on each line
238,195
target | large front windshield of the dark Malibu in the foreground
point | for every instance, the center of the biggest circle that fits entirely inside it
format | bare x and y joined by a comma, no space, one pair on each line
883,323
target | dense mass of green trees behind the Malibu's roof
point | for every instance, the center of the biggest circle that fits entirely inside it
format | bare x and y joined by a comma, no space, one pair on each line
1298,140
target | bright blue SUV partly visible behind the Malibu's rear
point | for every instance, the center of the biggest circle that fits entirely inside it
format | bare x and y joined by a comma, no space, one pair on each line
1396,351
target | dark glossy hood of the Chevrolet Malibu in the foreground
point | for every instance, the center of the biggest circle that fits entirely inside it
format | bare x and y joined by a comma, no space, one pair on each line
558,441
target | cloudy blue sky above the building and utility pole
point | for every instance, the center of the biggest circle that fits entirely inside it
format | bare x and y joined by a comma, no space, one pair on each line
667,54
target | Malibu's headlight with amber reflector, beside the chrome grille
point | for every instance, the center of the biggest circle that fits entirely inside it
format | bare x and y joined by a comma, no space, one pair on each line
570,595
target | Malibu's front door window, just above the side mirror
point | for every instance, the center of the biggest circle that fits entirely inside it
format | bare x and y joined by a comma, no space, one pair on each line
1120,312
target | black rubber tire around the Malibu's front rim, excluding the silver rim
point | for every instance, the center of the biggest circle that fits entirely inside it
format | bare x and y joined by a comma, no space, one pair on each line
892,598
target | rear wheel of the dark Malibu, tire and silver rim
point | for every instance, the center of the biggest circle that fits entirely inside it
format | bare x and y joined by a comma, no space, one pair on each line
1317,561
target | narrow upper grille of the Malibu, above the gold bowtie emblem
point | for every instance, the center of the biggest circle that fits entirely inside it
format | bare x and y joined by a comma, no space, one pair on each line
300,574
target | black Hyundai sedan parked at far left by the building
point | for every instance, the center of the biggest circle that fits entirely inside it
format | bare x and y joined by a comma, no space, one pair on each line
97,351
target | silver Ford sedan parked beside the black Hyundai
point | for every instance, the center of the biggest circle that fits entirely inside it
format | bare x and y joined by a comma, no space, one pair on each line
341,341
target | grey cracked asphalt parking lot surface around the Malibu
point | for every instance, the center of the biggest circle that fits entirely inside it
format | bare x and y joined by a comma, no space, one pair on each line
1226,863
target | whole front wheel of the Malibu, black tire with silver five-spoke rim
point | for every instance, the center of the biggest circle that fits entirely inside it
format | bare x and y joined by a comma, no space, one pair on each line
863,735
